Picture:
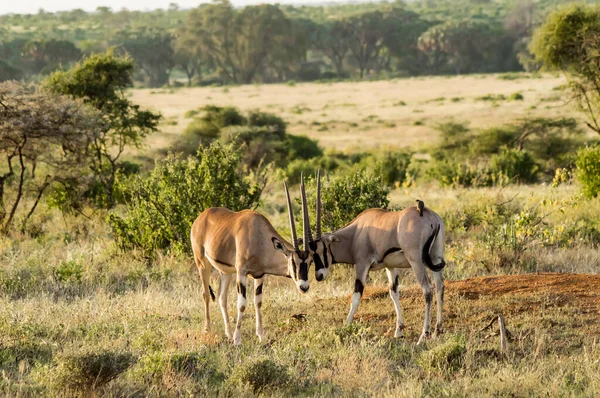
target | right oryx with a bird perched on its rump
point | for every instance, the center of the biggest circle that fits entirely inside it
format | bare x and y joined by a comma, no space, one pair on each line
377,239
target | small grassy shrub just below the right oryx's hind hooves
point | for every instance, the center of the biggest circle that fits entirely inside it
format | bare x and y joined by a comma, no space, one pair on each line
445,358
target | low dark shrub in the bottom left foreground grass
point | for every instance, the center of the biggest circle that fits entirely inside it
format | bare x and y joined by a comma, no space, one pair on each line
88,371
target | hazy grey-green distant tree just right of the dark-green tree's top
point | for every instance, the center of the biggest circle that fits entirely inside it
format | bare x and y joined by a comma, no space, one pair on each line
153,53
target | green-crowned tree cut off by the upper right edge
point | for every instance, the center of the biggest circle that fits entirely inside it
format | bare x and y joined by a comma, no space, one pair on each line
569,41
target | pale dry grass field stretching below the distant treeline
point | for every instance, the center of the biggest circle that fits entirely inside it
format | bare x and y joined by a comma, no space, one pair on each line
370,114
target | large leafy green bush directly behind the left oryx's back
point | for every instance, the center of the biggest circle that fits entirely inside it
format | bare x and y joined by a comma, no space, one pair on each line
162,207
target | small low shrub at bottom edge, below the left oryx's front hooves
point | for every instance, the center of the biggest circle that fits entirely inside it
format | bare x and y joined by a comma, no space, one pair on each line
260,375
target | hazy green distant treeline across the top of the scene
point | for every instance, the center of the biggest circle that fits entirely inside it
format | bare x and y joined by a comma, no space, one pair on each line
219,44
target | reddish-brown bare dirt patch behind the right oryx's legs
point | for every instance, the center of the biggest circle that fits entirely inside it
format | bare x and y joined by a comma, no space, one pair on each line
562,304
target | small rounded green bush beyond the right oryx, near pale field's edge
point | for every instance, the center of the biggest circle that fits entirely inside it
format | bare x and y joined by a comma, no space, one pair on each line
515,164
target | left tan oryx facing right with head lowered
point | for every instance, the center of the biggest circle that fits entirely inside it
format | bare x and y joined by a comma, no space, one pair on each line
245,243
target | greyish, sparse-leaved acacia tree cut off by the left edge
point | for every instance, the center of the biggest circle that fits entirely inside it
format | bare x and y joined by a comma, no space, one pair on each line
44,139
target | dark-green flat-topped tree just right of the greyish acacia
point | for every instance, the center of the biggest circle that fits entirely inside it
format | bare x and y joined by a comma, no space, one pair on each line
100,81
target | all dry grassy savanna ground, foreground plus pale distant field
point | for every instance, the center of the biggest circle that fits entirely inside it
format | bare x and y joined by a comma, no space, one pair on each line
77,316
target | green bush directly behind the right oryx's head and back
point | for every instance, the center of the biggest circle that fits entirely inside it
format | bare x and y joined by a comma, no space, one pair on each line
345,196
